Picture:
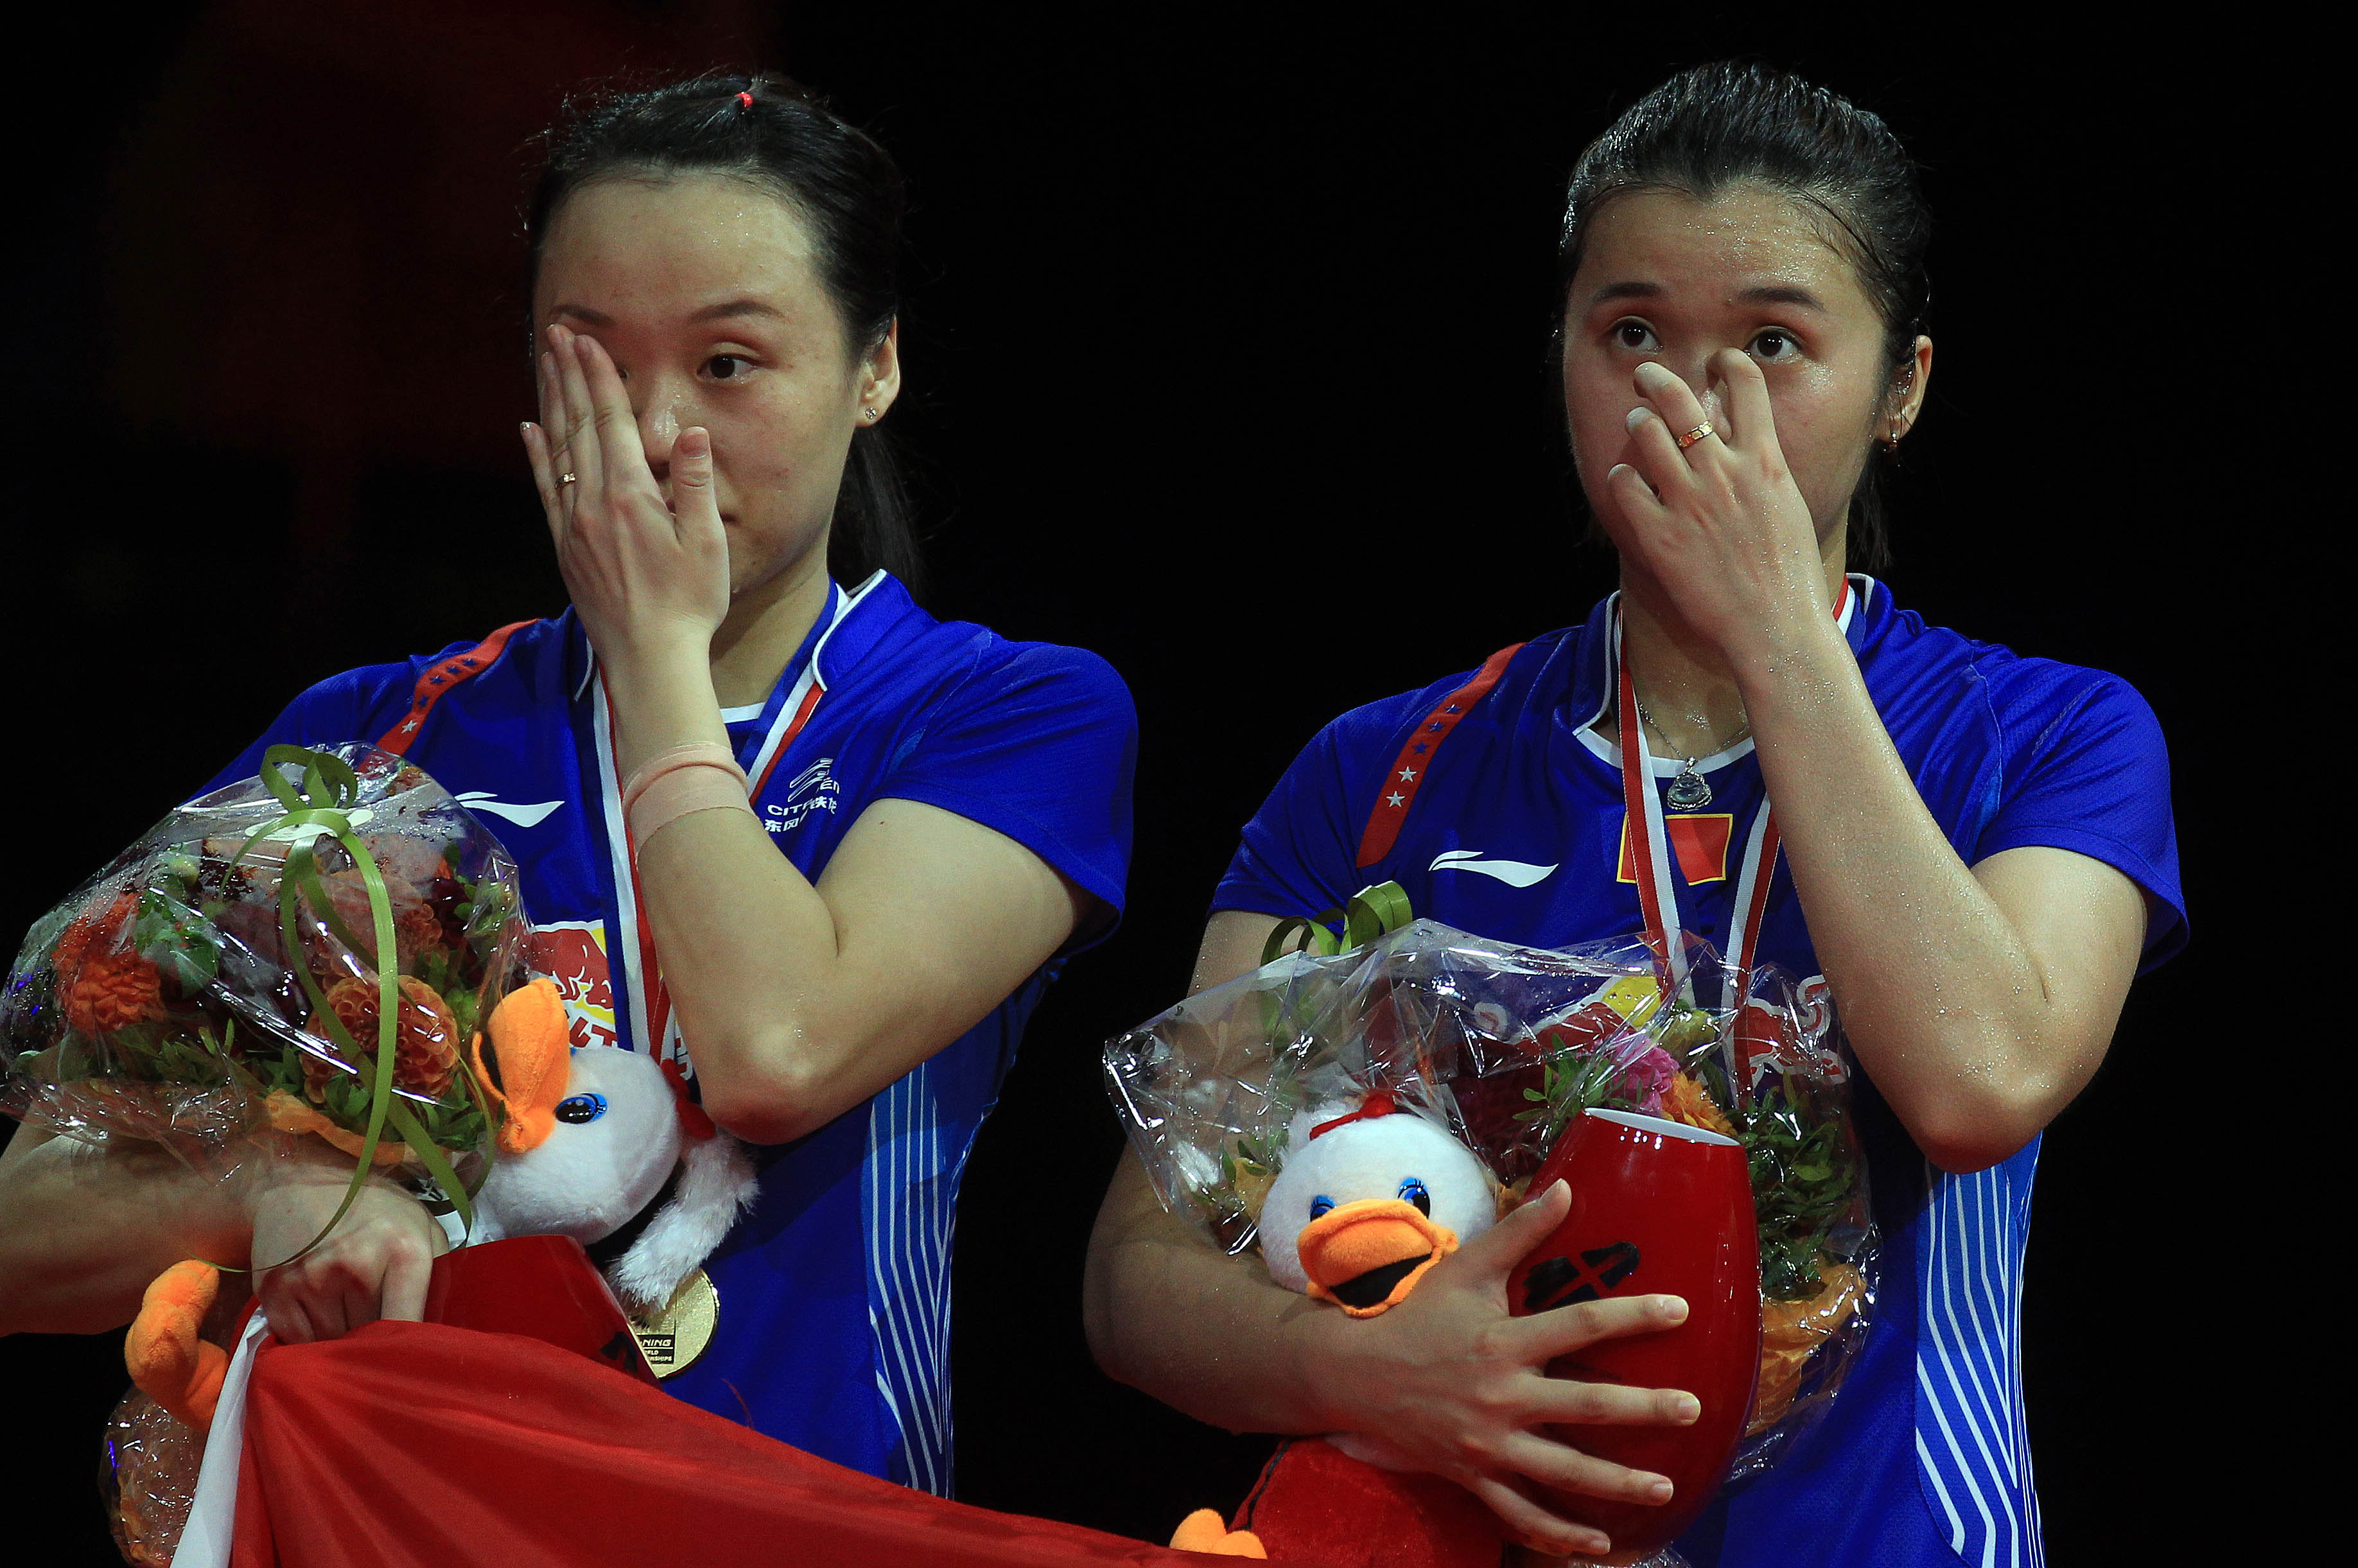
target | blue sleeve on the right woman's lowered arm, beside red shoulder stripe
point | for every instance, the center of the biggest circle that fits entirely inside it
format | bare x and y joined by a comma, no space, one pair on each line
1300,850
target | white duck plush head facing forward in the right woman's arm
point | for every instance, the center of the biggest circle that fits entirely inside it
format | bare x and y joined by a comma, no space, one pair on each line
1371,1197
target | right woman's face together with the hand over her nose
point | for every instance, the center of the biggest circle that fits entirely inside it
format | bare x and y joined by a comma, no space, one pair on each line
1734,312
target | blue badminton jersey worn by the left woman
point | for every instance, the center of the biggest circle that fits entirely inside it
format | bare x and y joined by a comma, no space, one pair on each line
836,1289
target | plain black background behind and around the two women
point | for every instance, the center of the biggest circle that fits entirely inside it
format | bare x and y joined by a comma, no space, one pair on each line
1227,360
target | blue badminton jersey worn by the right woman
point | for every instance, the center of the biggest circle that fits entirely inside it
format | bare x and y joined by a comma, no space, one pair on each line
1515,829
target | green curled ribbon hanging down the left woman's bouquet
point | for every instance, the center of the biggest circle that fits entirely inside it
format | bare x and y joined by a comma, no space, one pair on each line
322,798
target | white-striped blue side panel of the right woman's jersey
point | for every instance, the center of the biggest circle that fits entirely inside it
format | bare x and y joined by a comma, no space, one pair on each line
1972,1439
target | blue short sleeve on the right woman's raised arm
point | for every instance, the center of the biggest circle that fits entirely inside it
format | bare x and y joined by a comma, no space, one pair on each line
2095,779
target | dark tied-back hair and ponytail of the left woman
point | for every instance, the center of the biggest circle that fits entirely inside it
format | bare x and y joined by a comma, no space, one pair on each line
843,185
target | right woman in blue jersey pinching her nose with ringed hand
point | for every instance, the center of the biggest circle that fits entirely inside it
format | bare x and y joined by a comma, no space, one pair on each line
1977,859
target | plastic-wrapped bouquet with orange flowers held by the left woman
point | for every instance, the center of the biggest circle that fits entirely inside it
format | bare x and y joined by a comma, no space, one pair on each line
223,987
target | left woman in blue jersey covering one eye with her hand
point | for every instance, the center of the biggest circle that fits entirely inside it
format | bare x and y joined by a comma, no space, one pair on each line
775,822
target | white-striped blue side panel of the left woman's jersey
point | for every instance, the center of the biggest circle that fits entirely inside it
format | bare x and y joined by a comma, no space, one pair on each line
909,1208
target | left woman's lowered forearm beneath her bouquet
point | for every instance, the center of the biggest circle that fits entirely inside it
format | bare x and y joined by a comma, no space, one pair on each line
84,1230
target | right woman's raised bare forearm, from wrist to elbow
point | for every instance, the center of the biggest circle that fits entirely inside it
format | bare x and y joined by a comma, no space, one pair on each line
1944,999
